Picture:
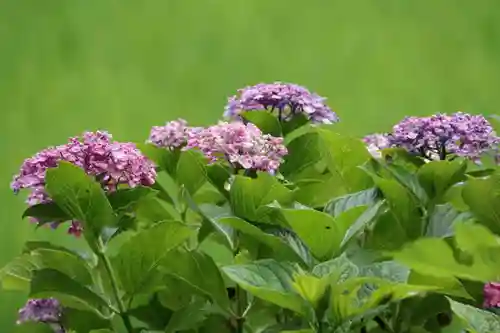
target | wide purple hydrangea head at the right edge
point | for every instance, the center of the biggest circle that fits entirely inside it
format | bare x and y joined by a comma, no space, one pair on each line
458,134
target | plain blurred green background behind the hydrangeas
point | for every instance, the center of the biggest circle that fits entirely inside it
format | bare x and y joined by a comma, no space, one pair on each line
70,66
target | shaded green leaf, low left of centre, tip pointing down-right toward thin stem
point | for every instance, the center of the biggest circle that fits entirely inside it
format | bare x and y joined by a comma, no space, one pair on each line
200,272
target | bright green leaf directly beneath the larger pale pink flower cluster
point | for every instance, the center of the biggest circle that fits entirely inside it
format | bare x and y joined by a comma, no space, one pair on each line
249,196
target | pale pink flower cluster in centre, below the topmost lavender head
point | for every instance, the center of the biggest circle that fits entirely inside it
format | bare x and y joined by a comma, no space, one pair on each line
242,145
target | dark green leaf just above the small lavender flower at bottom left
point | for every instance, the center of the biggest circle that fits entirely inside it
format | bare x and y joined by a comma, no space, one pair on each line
49,282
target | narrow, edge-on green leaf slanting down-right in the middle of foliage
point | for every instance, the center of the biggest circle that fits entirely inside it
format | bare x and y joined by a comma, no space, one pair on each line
280,248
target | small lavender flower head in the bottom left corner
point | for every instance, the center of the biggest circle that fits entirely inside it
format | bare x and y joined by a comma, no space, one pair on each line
43,310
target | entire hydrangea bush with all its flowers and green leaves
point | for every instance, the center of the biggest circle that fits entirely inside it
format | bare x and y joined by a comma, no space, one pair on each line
268,221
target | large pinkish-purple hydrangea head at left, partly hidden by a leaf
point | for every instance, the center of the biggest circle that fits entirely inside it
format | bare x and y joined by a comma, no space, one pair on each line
113,163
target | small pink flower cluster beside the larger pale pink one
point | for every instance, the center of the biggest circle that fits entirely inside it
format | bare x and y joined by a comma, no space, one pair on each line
172,135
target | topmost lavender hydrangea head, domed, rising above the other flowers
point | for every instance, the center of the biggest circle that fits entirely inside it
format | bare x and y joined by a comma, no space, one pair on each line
285,99
